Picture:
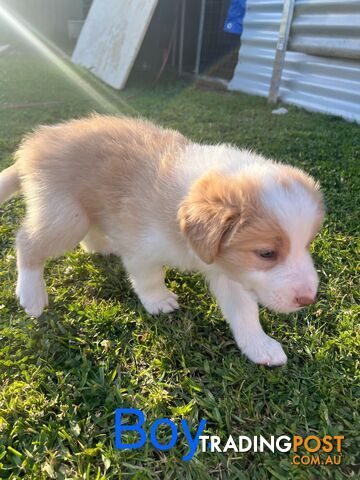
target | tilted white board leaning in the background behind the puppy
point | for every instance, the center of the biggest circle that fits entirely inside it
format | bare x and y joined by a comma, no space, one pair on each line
111,38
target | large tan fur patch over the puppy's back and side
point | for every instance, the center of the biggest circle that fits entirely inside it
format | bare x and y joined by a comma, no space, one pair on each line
106,165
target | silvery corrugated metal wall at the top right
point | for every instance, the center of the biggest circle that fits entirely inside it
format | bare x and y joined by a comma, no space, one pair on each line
313,81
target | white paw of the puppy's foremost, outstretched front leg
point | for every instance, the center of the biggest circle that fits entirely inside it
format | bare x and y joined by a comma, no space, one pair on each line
265,351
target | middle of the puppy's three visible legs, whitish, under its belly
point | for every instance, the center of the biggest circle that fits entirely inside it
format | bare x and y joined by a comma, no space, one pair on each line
148,283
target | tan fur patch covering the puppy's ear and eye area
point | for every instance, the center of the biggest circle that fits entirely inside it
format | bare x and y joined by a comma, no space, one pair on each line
223,219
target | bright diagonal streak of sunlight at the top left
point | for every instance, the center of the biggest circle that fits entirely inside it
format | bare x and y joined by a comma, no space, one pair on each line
58,58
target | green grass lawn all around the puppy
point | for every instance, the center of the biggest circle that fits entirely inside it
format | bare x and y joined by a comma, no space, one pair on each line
96,348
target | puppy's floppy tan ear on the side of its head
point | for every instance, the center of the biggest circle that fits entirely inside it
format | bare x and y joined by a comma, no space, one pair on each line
210,213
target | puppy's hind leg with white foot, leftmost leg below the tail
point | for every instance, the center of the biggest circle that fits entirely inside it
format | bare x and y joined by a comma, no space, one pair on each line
48,230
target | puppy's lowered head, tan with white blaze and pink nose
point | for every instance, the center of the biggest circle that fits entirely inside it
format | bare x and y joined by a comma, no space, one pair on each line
257,228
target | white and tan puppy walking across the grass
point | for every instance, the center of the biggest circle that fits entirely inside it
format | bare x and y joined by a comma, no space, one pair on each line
127,187
